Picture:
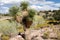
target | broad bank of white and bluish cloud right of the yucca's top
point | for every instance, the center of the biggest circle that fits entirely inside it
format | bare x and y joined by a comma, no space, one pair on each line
46,5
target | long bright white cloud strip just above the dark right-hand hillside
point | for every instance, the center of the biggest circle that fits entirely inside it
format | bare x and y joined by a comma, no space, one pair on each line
44,7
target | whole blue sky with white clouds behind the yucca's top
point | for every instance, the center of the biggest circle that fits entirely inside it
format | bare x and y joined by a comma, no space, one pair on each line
35,4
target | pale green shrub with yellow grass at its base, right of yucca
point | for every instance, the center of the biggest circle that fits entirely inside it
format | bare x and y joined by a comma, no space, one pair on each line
38,22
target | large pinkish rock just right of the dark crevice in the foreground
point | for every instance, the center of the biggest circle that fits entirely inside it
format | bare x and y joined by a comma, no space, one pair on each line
33,35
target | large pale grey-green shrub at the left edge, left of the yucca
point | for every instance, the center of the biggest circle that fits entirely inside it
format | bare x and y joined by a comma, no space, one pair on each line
8,28
